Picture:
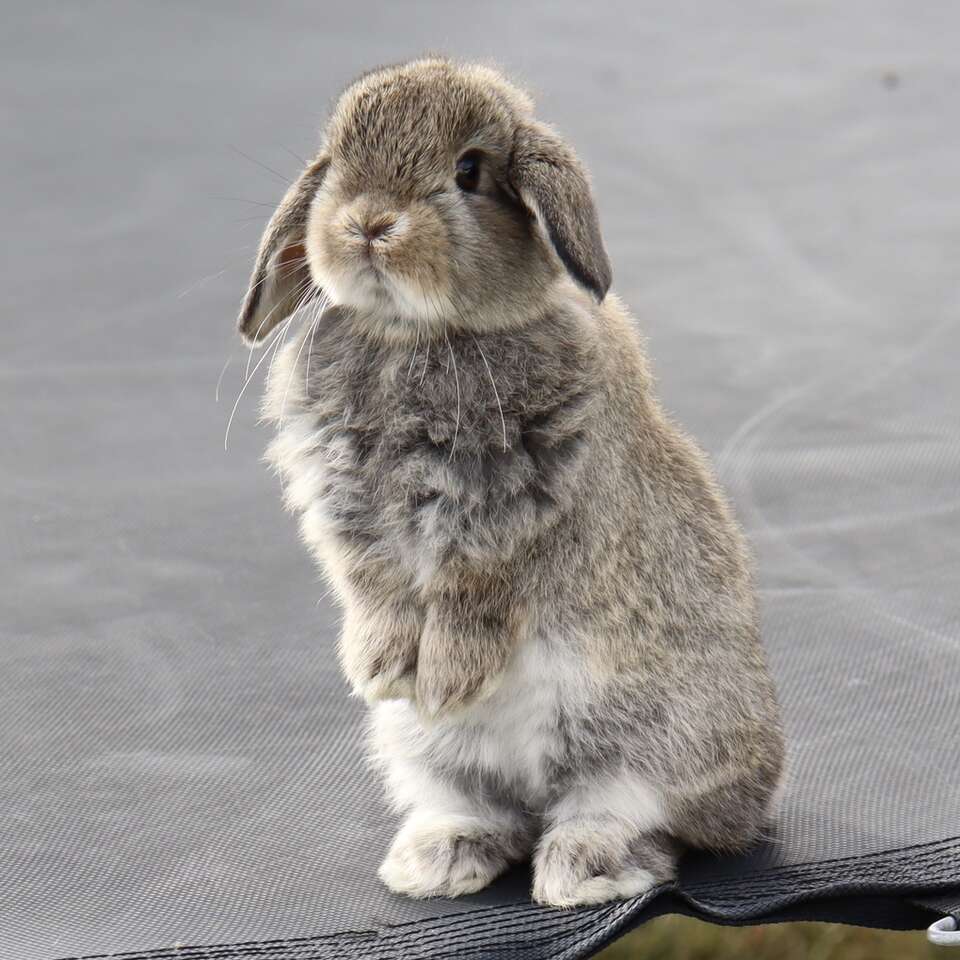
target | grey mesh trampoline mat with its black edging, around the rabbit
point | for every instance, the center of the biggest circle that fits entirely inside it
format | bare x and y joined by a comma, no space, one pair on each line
179,761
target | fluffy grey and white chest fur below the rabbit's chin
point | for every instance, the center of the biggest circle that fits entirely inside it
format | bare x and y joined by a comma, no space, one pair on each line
416,454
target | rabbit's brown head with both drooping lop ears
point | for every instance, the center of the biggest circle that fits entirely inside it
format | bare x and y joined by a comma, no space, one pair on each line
436,201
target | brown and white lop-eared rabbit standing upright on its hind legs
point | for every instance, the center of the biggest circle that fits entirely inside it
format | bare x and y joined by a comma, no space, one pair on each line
546,599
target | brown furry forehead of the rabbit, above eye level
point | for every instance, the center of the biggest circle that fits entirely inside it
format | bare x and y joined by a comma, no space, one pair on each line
417,120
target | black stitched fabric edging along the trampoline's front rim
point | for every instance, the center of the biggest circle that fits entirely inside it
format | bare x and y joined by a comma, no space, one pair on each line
924,877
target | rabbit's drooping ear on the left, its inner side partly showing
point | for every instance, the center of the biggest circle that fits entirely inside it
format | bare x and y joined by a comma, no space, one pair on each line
281,278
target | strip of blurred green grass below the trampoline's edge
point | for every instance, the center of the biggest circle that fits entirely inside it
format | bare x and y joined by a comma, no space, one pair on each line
680,938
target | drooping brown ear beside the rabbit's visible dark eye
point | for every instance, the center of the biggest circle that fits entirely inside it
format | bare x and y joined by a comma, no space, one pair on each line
553,185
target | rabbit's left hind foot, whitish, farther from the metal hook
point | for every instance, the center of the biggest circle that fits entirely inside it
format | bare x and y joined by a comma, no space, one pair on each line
447,856
